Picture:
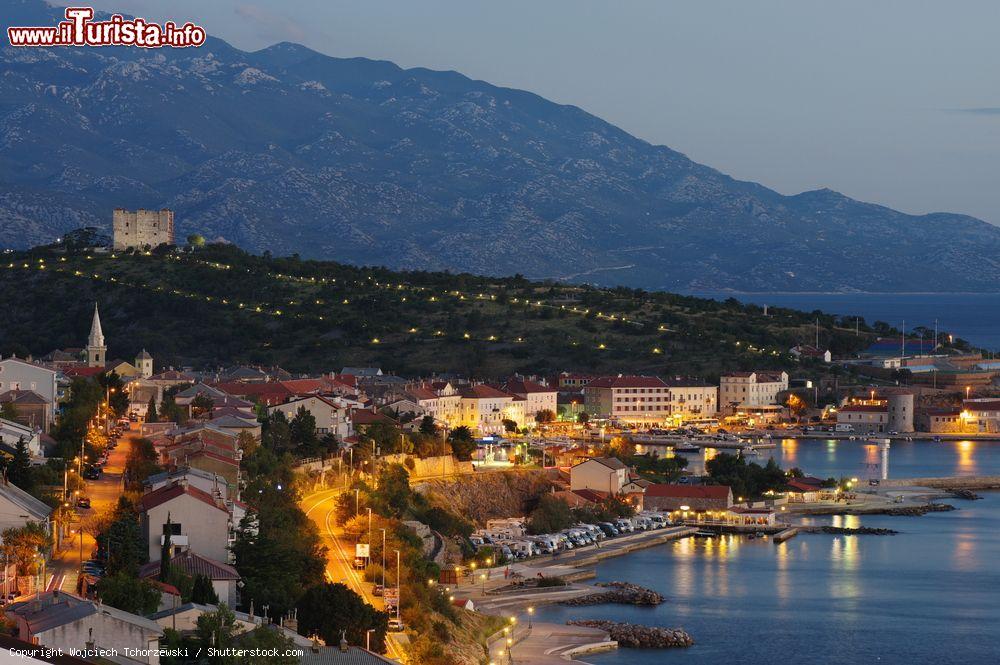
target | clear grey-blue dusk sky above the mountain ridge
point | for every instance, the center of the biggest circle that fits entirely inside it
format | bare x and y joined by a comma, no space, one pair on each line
891,101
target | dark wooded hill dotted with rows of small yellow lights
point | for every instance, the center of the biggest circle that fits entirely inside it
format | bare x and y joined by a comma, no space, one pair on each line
220,305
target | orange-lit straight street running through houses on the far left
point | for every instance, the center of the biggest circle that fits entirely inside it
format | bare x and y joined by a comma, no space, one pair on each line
64,568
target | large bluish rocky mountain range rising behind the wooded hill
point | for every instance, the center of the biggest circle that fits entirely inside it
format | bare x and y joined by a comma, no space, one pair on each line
360,161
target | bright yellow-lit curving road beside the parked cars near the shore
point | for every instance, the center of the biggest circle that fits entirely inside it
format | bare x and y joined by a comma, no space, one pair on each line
320,507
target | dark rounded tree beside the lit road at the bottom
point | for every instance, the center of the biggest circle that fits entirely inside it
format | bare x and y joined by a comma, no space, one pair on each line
327,610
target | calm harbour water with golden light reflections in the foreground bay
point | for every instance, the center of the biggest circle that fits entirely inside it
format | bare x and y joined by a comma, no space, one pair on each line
930,594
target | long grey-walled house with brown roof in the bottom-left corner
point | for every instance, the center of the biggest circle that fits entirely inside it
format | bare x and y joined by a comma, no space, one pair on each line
61,620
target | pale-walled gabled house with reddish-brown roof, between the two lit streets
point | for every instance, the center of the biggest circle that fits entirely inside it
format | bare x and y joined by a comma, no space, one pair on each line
194,519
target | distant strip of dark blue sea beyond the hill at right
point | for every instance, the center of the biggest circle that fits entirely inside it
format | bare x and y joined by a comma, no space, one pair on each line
972,316
